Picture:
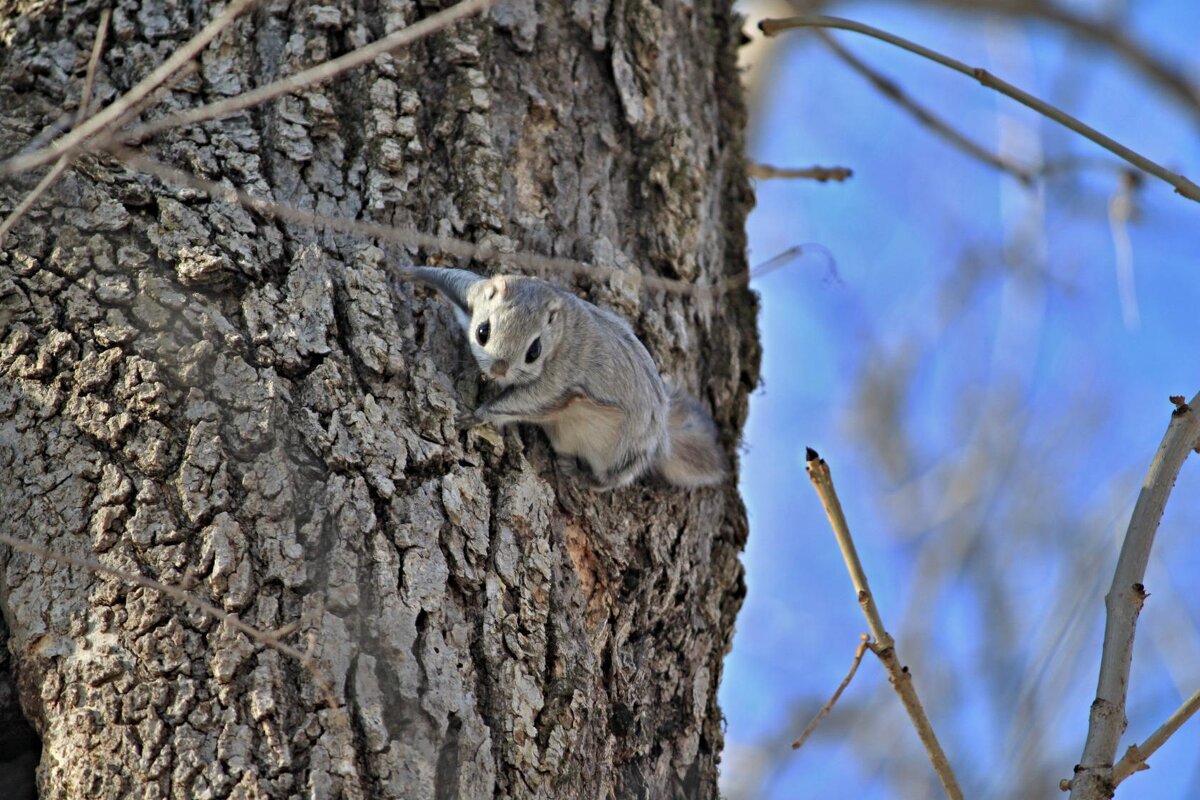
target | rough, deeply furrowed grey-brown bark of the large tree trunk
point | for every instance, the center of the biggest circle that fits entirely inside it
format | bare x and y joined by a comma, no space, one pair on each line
244,407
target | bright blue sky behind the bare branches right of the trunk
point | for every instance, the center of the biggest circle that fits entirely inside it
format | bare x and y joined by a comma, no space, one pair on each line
1029,413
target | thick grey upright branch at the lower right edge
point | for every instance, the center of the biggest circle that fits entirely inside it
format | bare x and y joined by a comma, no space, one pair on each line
1107,721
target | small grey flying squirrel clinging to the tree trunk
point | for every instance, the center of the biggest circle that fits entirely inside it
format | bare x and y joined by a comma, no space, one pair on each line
580,374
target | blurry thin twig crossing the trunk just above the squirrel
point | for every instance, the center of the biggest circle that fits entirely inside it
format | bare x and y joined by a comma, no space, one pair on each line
457,248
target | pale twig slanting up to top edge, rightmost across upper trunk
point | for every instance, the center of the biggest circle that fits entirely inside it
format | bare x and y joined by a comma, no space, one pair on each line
314,76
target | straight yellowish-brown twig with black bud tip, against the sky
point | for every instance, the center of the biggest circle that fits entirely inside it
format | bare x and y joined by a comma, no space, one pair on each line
885,646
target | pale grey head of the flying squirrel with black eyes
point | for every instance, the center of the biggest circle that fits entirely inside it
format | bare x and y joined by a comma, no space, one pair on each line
517,324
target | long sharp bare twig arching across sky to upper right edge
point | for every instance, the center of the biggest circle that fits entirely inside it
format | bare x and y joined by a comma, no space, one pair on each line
1183,185
